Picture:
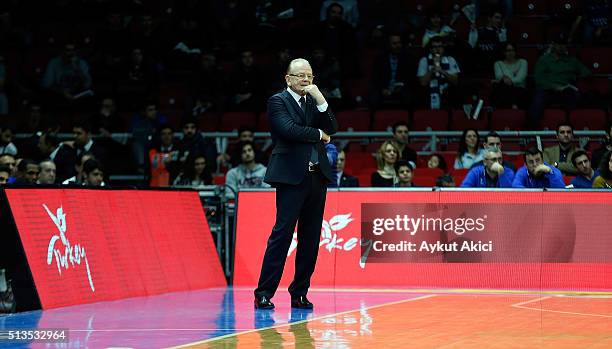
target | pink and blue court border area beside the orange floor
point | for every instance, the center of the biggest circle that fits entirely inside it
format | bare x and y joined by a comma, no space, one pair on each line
183,318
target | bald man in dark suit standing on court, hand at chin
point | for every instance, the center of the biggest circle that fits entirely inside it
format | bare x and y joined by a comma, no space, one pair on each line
300,123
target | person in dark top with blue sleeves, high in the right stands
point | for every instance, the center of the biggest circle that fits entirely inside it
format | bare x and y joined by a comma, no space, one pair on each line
487,42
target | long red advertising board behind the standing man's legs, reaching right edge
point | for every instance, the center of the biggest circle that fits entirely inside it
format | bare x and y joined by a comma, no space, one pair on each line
528,240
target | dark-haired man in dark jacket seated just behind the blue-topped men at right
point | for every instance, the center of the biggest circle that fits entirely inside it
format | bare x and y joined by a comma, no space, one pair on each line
560,155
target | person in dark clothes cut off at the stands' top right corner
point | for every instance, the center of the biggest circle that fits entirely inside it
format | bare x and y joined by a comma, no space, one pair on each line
595,19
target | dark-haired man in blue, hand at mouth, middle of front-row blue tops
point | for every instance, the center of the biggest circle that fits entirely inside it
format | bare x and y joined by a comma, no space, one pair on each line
536,173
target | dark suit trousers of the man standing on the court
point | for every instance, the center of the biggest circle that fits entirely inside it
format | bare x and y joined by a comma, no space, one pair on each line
302,204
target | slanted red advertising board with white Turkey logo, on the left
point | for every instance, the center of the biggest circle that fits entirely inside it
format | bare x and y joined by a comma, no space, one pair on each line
86,246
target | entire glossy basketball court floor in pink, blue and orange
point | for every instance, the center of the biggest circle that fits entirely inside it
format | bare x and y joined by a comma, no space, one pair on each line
225,318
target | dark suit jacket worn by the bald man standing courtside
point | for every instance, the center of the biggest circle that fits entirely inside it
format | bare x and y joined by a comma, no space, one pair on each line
294,132
